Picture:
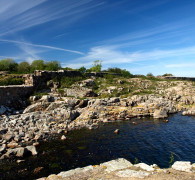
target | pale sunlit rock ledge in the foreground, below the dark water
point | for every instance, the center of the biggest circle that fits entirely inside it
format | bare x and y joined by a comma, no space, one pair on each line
123,169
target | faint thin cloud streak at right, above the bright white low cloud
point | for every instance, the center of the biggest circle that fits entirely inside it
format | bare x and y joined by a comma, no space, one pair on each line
164,31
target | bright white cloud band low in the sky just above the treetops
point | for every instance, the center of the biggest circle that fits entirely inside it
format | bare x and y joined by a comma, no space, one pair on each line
109,55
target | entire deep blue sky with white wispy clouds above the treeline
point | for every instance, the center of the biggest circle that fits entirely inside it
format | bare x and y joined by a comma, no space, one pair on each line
141,36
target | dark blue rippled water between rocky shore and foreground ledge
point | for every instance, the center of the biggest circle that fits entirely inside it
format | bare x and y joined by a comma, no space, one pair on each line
150,141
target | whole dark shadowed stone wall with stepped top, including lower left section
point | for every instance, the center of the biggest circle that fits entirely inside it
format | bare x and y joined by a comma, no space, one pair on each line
15,96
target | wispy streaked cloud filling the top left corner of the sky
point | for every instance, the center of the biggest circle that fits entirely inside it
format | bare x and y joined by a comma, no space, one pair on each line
21,14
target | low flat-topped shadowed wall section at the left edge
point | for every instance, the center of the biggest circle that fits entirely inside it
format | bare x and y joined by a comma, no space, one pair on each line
13,96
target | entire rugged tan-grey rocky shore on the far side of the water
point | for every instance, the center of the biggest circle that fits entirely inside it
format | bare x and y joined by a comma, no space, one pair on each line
56,114
